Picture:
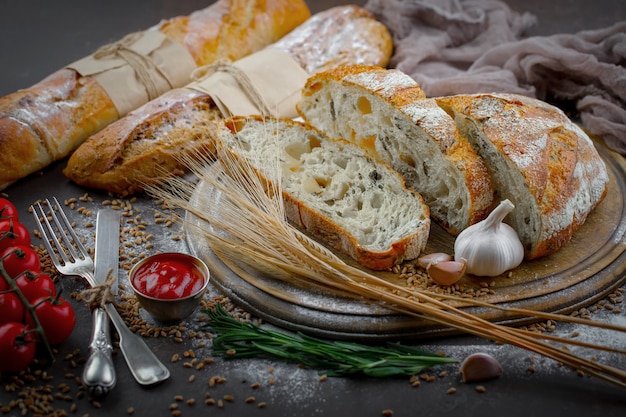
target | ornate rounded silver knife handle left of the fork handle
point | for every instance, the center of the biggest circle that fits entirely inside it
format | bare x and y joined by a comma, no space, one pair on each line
99,373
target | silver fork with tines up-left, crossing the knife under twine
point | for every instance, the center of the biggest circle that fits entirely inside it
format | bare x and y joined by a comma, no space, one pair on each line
70,257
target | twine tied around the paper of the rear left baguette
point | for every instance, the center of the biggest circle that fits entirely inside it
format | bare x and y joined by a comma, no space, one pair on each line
148,72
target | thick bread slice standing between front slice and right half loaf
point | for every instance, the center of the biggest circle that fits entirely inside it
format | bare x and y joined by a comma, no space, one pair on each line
388,115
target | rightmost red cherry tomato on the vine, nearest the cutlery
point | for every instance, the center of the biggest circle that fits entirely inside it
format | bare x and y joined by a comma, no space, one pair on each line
56,317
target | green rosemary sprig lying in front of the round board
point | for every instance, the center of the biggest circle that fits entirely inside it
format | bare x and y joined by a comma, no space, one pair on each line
238,339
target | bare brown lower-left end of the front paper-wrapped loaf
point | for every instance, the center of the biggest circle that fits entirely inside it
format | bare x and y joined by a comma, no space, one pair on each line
146,145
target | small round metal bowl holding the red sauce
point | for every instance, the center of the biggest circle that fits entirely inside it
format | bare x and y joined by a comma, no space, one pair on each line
170,309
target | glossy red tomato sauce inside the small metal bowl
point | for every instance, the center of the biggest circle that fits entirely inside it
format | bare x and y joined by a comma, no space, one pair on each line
168,276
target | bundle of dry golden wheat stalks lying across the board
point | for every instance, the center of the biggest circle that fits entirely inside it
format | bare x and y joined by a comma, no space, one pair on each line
249,225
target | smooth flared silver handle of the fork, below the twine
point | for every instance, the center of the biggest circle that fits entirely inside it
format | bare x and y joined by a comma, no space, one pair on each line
142,362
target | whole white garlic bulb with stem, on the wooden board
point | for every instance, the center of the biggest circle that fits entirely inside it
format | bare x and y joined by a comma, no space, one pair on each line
490,247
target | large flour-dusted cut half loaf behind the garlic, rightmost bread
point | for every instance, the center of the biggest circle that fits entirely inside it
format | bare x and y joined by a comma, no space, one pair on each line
539,159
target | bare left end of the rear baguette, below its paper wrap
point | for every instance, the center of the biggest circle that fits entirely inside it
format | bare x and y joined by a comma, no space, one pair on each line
43,123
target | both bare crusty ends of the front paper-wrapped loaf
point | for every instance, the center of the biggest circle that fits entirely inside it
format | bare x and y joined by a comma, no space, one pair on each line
144,145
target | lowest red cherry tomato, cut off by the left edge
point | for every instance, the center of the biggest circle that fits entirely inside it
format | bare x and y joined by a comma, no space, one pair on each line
17,347
